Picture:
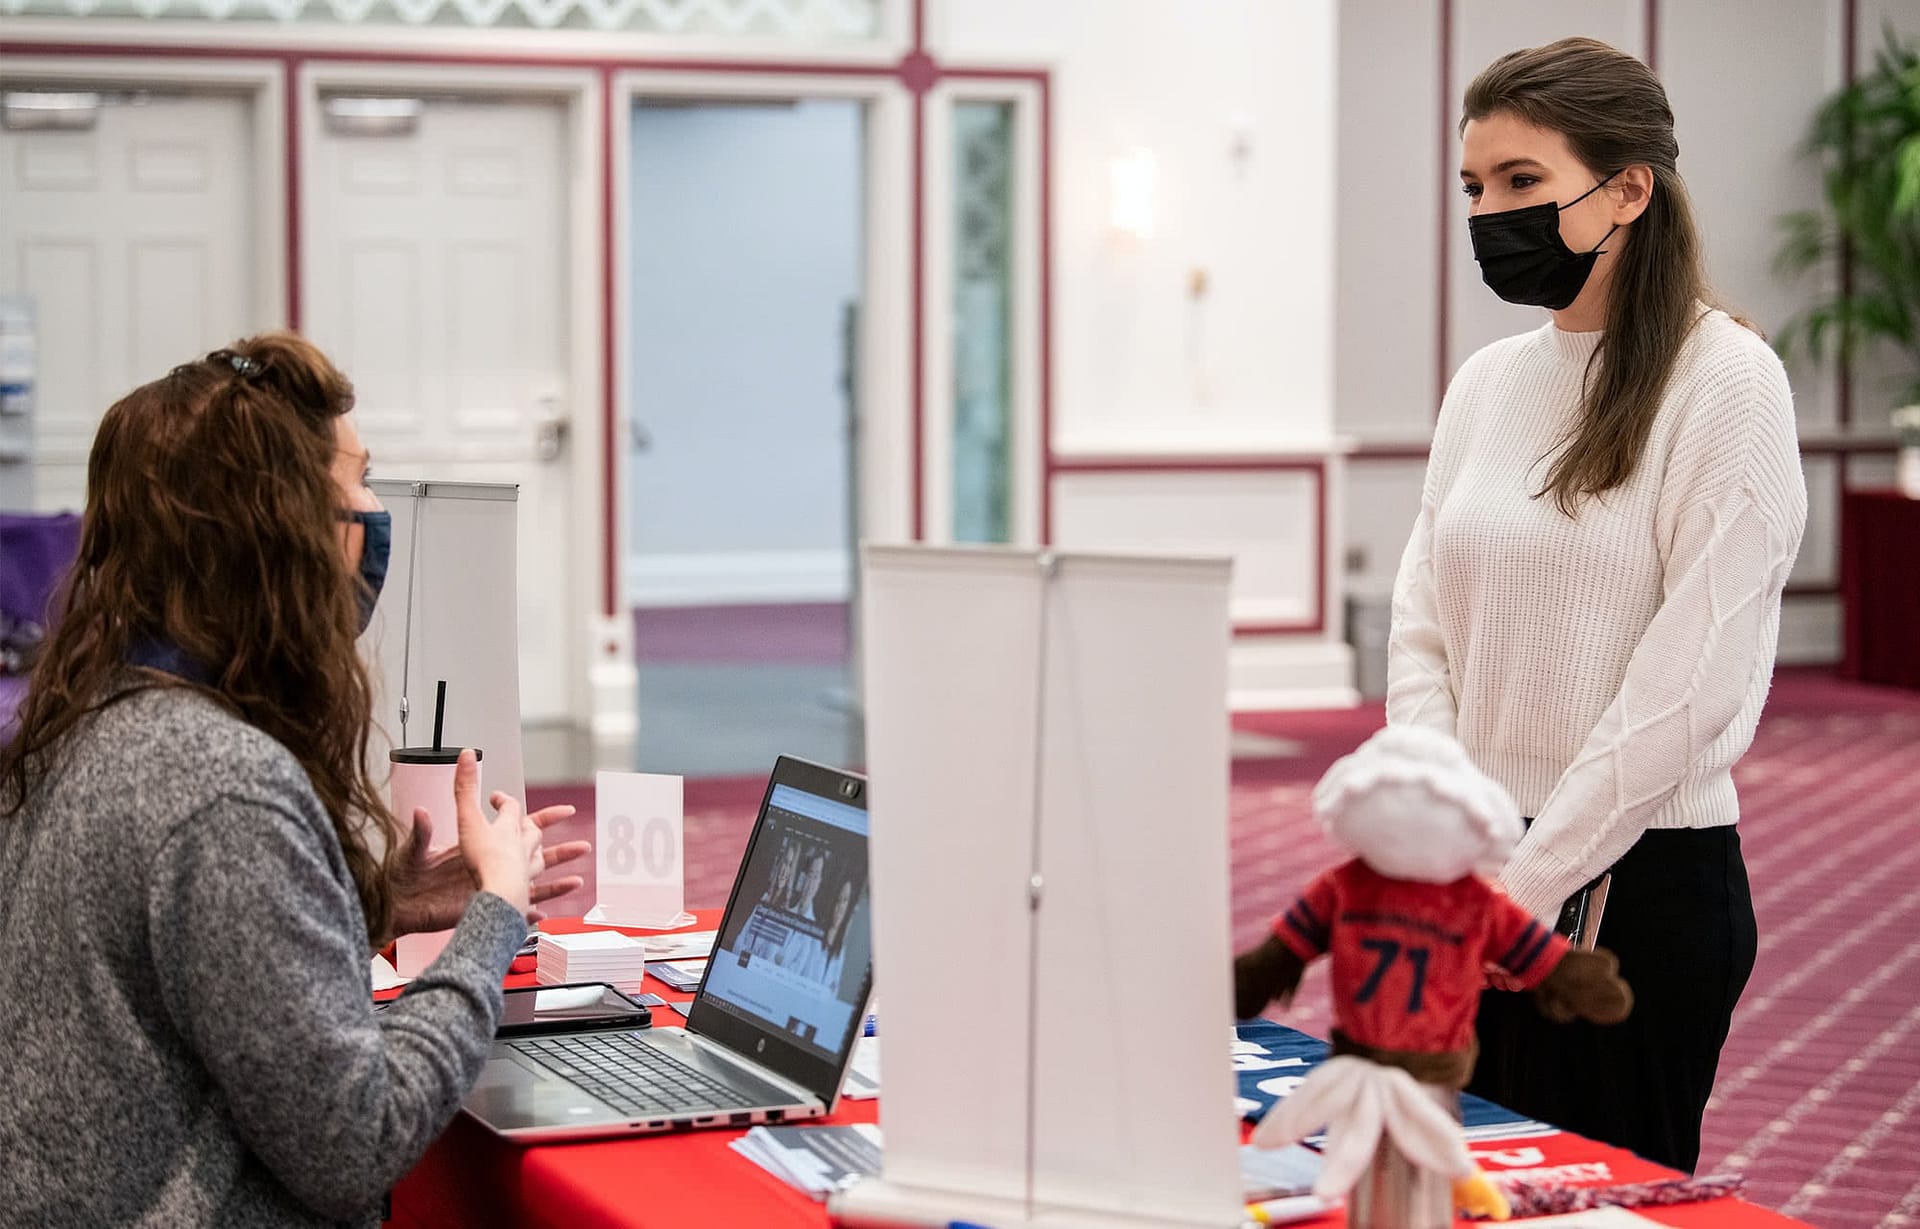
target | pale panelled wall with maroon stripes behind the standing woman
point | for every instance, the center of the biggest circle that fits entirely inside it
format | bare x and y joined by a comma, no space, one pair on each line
1739,153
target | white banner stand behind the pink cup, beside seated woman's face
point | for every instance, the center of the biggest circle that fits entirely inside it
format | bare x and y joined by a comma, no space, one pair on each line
448,614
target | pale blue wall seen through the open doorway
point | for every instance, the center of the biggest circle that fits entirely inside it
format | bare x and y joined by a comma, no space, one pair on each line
746,237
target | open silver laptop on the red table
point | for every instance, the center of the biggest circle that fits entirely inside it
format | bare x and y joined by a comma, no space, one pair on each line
775,1021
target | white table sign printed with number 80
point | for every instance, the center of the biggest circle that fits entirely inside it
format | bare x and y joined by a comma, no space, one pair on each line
638,850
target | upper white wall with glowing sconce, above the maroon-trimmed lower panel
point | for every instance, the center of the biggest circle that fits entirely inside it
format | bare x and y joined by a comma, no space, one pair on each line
1140,362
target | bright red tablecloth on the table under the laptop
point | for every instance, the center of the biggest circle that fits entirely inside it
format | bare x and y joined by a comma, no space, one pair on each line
473,1180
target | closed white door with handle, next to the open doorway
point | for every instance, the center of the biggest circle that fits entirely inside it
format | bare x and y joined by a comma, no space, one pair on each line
437,276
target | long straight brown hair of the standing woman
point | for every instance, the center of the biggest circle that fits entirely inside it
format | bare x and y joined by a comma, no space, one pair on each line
1614,114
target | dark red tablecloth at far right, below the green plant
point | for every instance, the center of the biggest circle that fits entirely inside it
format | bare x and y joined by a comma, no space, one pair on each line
1881,585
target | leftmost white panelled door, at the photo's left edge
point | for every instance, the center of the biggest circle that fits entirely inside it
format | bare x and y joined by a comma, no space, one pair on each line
135,243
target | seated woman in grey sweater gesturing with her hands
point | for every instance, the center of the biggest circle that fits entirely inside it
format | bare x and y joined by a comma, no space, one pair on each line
195,857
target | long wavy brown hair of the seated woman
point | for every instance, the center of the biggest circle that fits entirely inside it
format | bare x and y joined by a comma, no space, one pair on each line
212,527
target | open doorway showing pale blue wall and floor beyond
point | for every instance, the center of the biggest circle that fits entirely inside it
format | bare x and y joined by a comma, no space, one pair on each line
746,285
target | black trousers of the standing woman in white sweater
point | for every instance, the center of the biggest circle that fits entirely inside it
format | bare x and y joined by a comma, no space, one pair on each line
1681,919
